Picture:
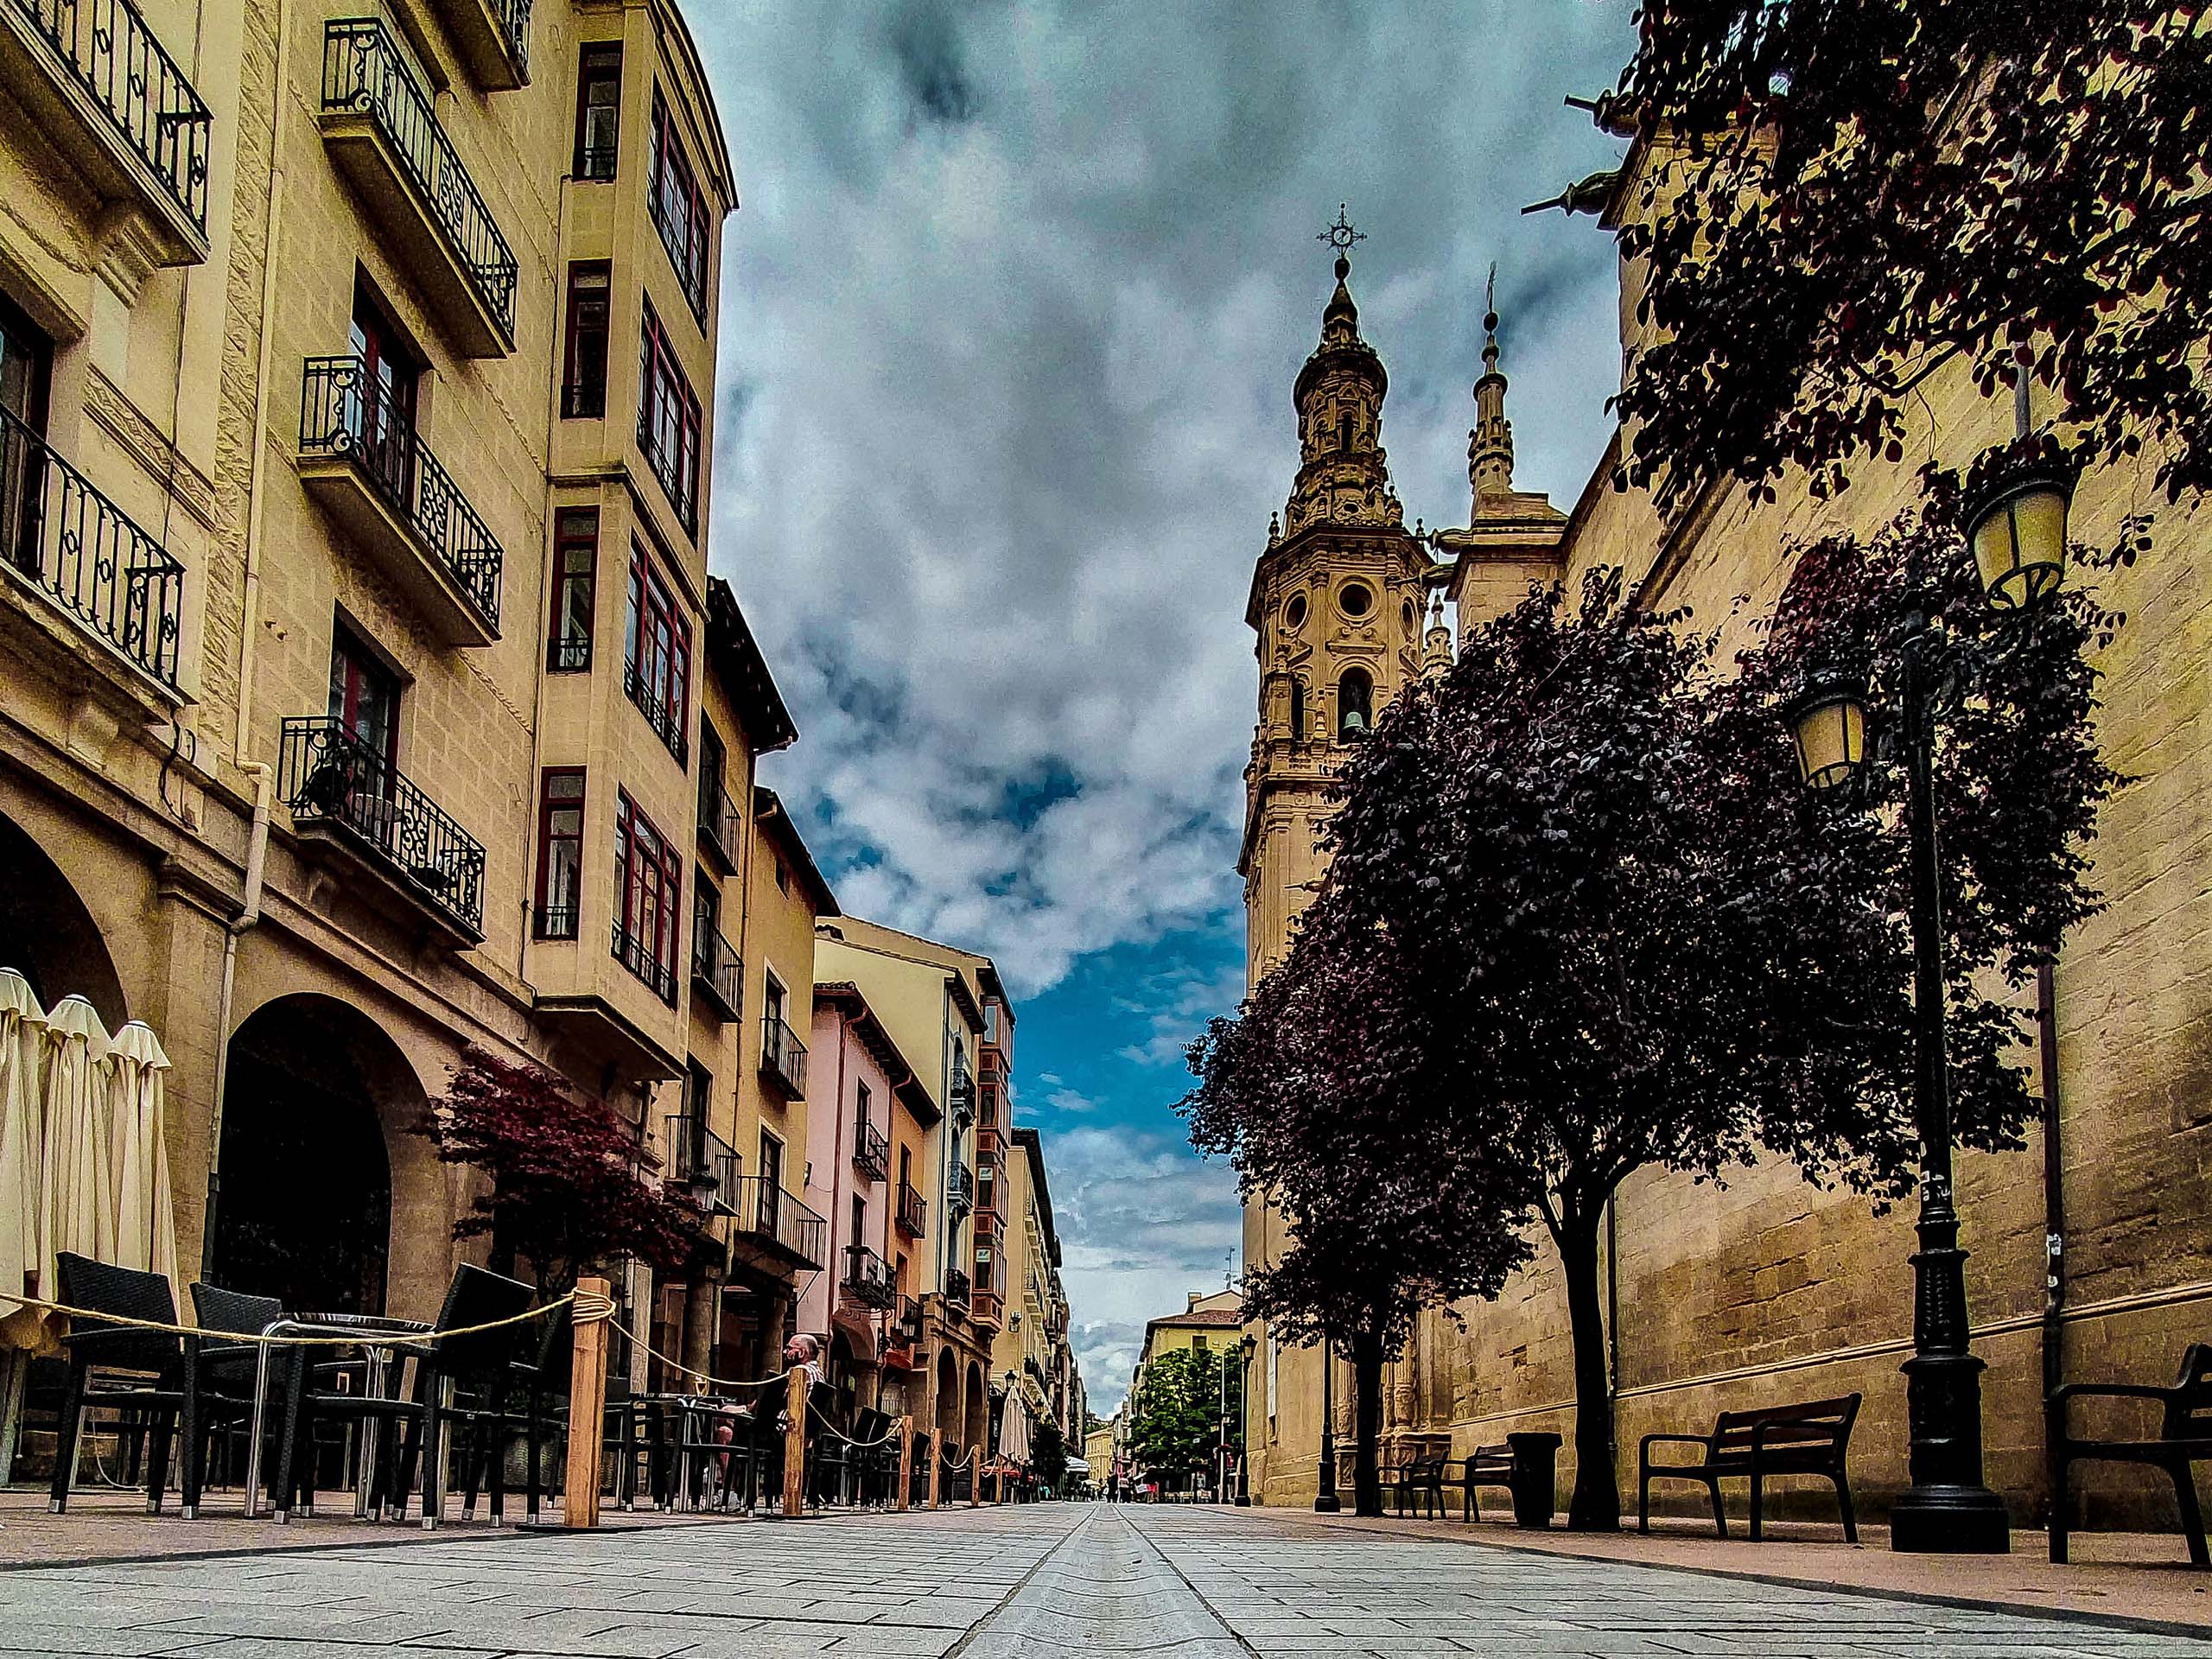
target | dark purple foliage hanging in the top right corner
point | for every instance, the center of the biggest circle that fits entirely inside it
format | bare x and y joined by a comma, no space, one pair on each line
1859,194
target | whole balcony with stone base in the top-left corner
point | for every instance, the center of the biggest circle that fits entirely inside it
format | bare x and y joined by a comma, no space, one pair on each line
92,81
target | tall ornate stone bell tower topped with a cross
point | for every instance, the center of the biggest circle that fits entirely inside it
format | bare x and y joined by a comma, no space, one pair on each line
1339,603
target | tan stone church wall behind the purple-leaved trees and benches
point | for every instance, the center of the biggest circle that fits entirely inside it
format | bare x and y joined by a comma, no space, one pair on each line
1773,1291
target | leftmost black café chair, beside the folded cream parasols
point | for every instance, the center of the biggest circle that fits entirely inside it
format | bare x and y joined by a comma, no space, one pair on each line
158,1377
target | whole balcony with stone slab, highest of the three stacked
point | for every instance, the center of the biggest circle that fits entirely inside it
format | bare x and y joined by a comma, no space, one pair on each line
386,138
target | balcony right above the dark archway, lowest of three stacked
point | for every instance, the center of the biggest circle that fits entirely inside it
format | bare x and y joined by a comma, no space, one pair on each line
340,786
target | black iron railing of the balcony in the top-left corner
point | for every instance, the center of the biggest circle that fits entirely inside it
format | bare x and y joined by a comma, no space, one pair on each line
112,54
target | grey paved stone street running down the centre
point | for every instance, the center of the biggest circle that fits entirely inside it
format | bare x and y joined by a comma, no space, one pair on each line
994,1585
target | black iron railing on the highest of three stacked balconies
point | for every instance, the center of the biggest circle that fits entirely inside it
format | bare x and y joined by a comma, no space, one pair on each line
366,72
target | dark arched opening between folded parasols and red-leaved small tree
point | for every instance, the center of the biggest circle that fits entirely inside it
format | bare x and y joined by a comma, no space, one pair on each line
315,1103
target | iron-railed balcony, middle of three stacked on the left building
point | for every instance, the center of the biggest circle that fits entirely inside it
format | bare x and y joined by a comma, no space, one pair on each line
364,459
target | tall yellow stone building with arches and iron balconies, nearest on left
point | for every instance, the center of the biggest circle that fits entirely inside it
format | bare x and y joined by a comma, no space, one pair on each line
357,386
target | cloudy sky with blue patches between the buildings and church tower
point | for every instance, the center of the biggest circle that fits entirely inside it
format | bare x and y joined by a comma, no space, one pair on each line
1012,313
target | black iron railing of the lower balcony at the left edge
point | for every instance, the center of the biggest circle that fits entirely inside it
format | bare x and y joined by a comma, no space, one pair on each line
87,554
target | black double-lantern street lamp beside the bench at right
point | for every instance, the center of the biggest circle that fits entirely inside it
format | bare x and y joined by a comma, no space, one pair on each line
2018,532
